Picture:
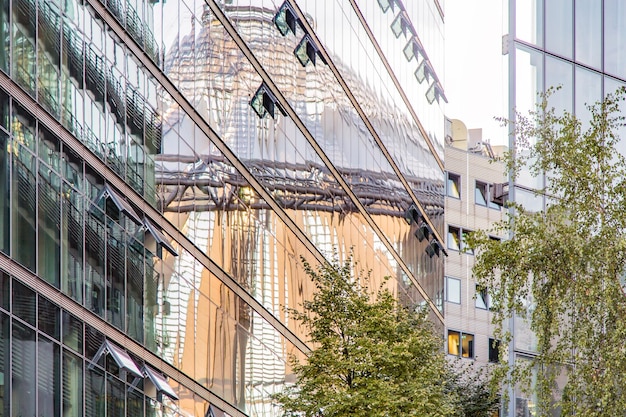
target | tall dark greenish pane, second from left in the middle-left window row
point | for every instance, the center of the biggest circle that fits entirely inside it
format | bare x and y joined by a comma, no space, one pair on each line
24,203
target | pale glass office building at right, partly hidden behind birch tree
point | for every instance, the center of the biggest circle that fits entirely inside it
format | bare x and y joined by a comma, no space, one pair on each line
579,46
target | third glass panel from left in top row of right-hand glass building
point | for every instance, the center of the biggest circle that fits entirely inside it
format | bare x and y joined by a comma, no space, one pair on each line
589,32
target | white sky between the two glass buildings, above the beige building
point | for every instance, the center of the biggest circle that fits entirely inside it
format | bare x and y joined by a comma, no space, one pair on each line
476,80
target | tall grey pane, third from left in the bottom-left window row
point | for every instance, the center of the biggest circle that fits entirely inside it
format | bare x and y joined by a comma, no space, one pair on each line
48,378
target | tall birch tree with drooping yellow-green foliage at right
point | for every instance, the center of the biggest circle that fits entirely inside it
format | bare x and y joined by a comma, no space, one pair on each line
566,262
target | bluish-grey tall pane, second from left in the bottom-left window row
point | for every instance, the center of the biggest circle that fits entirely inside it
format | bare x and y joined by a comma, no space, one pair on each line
23,366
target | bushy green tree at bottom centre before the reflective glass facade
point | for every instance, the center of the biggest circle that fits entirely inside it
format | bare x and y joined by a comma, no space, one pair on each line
371,356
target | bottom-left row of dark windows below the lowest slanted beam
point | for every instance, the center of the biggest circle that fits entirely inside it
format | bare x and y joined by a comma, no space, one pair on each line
53,364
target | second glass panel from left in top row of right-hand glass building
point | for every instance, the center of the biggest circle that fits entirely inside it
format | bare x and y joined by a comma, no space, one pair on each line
559,27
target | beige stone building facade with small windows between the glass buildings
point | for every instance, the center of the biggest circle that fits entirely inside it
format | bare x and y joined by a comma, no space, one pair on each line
471,179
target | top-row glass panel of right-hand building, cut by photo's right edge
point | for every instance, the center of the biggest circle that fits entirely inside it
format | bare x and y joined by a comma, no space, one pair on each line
615,38
